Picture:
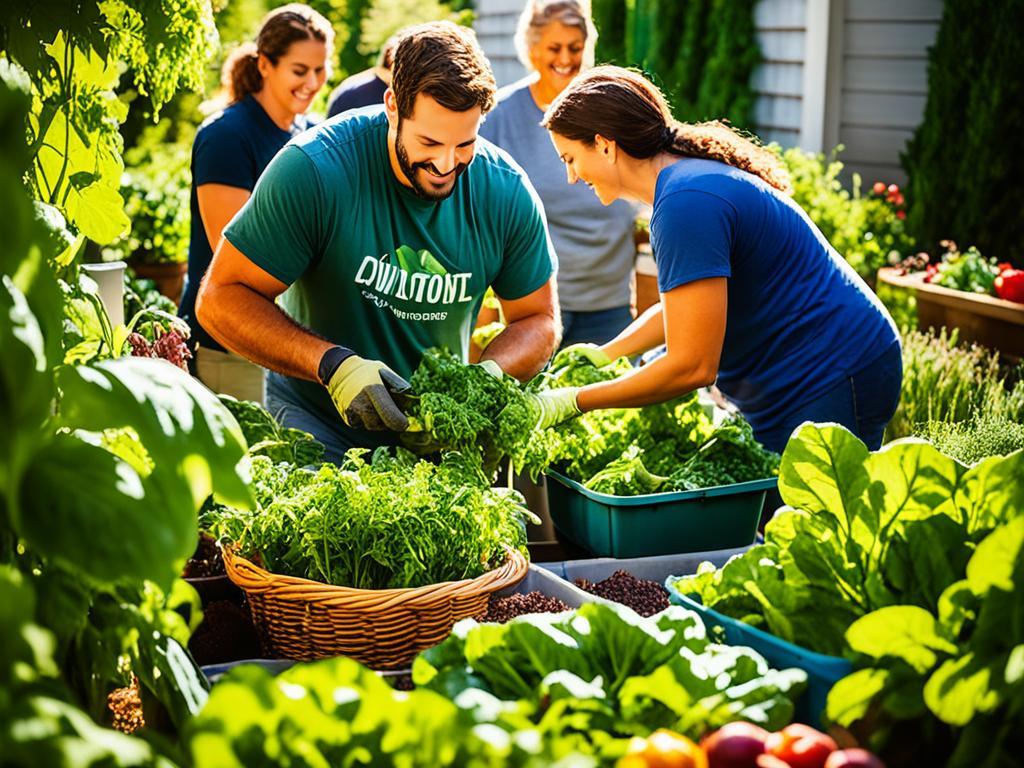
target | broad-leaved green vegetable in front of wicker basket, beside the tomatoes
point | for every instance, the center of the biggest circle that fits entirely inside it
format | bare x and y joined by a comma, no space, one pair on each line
604,672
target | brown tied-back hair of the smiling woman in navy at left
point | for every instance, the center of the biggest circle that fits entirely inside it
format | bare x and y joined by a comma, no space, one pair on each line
279,30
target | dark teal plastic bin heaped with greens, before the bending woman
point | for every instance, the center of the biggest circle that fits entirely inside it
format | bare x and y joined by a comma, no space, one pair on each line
715,519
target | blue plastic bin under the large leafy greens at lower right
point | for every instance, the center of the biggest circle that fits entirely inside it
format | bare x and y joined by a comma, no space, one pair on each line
823,672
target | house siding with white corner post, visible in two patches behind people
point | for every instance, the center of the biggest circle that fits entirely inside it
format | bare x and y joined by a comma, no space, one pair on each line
850,72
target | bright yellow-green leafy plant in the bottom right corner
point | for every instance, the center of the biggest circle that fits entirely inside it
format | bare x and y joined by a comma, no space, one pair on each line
955,671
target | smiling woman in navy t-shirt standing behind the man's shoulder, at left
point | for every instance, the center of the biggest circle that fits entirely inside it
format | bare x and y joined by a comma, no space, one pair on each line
268,88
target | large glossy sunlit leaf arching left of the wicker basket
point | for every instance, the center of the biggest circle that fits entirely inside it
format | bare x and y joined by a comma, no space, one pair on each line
186,431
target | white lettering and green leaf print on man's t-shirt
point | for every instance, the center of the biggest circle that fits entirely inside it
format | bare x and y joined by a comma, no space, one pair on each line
415,286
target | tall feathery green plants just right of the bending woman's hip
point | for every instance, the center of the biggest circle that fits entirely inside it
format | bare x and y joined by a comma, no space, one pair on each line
946,382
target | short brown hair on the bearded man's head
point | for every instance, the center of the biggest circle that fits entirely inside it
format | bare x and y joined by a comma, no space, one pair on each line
444,61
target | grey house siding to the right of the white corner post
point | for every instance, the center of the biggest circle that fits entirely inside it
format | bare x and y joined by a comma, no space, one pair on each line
883,82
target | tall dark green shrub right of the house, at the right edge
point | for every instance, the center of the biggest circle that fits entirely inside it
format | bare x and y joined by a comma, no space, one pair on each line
965,175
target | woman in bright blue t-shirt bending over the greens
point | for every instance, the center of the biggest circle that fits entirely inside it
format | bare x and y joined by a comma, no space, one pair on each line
753,296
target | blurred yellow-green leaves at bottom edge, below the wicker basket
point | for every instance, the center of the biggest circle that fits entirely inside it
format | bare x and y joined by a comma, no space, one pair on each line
337,713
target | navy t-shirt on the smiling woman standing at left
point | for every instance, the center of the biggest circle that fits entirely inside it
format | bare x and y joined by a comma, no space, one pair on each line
232,148
